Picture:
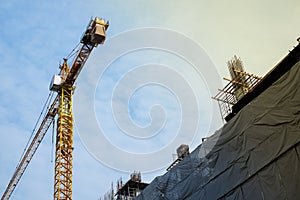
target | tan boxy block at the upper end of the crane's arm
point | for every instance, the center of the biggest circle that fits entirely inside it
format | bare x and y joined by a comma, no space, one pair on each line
96,32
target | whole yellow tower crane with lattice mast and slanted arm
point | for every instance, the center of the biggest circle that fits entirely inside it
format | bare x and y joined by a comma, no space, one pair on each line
61,107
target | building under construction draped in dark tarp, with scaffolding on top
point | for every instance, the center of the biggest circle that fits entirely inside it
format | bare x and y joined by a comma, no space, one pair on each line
256,154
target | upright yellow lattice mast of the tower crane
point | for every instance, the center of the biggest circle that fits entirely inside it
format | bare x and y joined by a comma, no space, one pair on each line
64,146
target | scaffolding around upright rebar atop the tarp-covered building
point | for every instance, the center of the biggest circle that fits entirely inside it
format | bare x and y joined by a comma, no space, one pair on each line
239,85
